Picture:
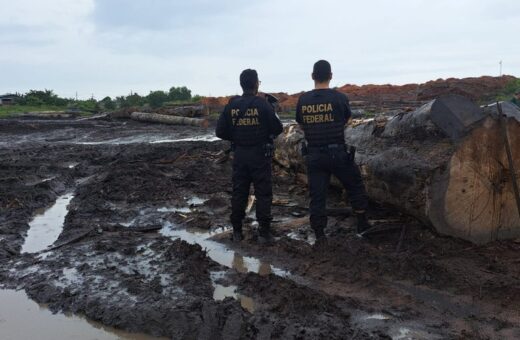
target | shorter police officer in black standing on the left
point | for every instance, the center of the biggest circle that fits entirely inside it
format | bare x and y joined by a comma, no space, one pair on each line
251,124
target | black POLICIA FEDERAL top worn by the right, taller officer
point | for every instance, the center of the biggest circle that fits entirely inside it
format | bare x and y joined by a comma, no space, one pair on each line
323,114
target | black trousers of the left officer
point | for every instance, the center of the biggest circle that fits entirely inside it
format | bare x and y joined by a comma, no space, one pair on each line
250,165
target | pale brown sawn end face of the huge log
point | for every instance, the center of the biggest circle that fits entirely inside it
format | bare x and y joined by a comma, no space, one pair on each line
477,200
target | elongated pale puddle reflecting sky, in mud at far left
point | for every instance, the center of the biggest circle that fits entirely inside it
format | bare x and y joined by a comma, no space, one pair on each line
46,226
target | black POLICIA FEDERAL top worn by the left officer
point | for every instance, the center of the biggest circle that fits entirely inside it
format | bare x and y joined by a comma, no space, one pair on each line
252,128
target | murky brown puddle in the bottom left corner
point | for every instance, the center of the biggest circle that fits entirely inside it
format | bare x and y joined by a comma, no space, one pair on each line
21,318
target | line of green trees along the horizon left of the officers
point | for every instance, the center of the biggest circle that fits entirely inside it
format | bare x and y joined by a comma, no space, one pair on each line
154,99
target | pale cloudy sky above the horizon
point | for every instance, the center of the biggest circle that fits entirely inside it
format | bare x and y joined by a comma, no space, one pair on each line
114,47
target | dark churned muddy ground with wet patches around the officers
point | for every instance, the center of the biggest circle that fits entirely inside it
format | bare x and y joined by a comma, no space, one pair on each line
145,247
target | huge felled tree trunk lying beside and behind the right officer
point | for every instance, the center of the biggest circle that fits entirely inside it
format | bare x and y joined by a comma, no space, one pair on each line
444,163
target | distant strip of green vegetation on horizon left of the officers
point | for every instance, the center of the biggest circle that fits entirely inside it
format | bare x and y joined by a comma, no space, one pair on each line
47,100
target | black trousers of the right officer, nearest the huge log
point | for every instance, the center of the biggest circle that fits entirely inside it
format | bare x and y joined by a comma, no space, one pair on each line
323,162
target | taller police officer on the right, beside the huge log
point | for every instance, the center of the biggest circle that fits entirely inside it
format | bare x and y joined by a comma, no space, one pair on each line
323,113
